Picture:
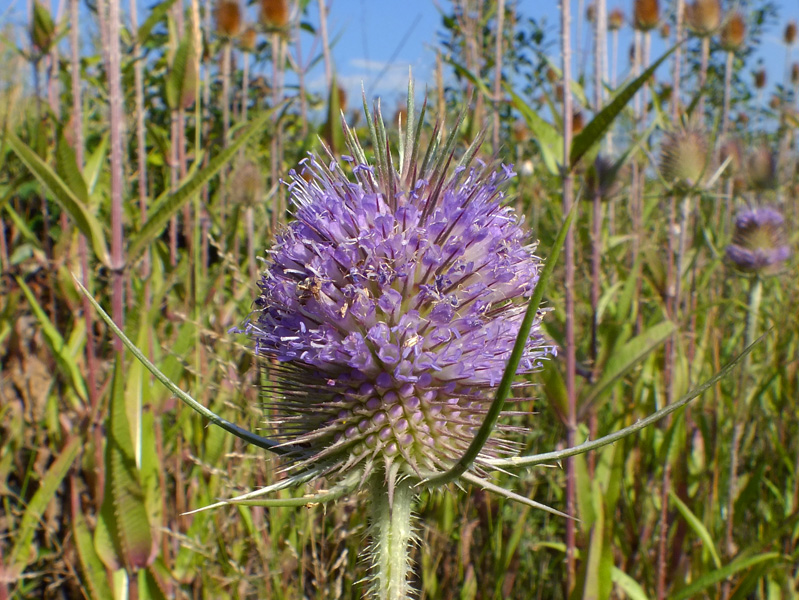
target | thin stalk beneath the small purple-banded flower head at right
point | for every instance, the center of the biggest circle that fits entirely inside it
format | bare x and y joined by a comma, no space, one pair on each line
740,415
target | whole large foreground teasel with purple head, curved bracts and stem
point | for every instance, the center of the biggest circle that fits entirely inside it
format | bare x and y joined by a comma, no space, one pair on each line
394,315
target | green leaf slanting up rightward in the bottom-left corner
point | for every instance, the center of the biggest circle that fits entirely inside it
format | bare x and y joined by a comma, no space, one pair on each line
23,536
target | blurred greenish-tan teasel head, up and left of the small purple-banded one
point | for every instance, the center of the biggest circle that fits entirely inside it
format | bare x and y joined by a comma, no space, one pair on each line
684,156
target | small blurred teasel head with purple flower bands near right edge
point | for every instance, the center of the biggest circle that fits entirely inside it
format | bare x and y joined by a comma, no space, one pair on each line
758,245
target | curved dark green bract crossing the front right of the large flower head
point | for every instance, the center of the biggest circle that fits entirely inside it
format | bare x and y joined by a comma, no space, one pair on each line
460,467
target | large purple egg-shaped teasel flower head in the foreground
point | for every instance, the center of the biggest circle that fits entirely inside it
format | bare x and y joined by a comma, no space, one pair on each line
389,308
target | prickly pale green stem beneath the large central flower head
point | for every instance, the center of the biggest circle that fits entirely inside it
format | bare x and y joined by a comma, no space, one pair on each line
391,533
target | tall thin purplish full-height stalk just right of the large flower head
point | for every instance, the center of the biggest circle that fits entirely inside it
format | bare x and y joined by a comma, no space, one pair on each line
571,356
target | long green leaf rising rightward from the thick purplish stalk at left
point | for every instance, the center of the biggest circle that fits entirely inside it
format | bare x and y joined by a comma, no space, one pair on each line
159,218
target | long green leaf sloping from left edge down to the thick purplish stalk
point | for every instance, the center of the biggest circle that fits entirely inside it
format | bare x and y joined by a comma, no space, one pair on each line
84,219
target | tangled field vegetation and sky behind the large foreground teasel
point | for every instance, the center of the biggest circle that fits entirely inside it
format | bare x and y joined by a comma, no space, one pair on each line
142,152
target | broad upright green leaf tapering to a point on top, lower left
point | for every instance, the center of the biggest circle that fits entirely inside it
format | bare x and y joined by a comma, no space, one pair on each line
123,502
